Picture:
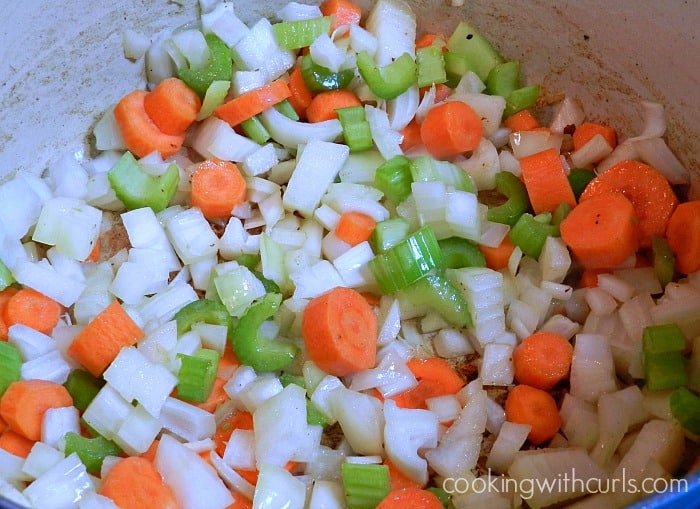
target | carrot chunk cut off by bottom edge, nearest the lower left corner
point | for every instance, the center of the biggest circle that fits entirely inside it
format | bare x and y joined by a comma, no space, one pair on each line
134,483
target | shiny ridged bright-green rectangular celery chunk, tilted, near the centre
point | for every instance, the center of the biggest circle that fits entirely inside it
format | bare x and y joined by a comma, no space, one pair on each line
406,262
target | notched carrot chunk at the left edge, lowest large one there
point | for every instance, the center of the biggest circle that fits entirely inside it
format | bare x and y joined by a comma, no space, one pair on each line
25,402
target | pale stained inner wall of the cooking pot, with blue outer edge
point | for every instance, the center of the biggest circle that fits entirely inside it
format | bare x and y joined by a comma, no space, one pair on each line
62,64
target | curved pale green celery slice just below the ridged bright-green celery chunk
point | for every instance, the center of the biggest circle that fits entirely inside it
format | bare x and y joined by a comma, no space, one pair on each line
440,295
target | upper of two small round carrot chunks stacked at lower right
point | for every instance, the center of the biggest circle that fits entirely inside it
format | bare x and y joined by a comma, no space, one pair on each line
542,360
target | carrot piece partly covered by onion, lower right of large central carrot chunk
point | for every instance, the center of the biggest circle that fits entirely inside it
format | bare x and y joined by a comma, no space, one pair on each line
435,376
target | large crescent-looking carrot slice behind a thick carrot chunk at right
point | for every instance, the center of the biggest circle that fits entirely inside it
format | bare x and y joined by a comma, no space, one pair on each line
650,193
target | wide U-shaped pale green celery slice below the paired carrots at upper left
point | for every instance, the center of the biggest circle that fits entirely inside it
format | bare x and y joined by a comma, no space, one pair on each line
136,189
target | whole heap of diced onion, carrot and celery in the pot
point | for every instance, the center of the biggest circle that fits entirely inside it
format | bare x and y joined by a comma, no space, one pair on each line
335,349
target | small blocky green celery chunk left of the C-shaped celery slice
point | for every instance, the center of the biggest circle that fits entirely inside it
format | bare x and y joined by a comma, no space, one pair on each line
197,375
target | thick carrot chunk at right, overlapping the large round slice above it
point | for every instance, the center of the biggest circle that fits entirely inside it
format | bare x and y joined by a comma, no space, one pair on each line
601,231
